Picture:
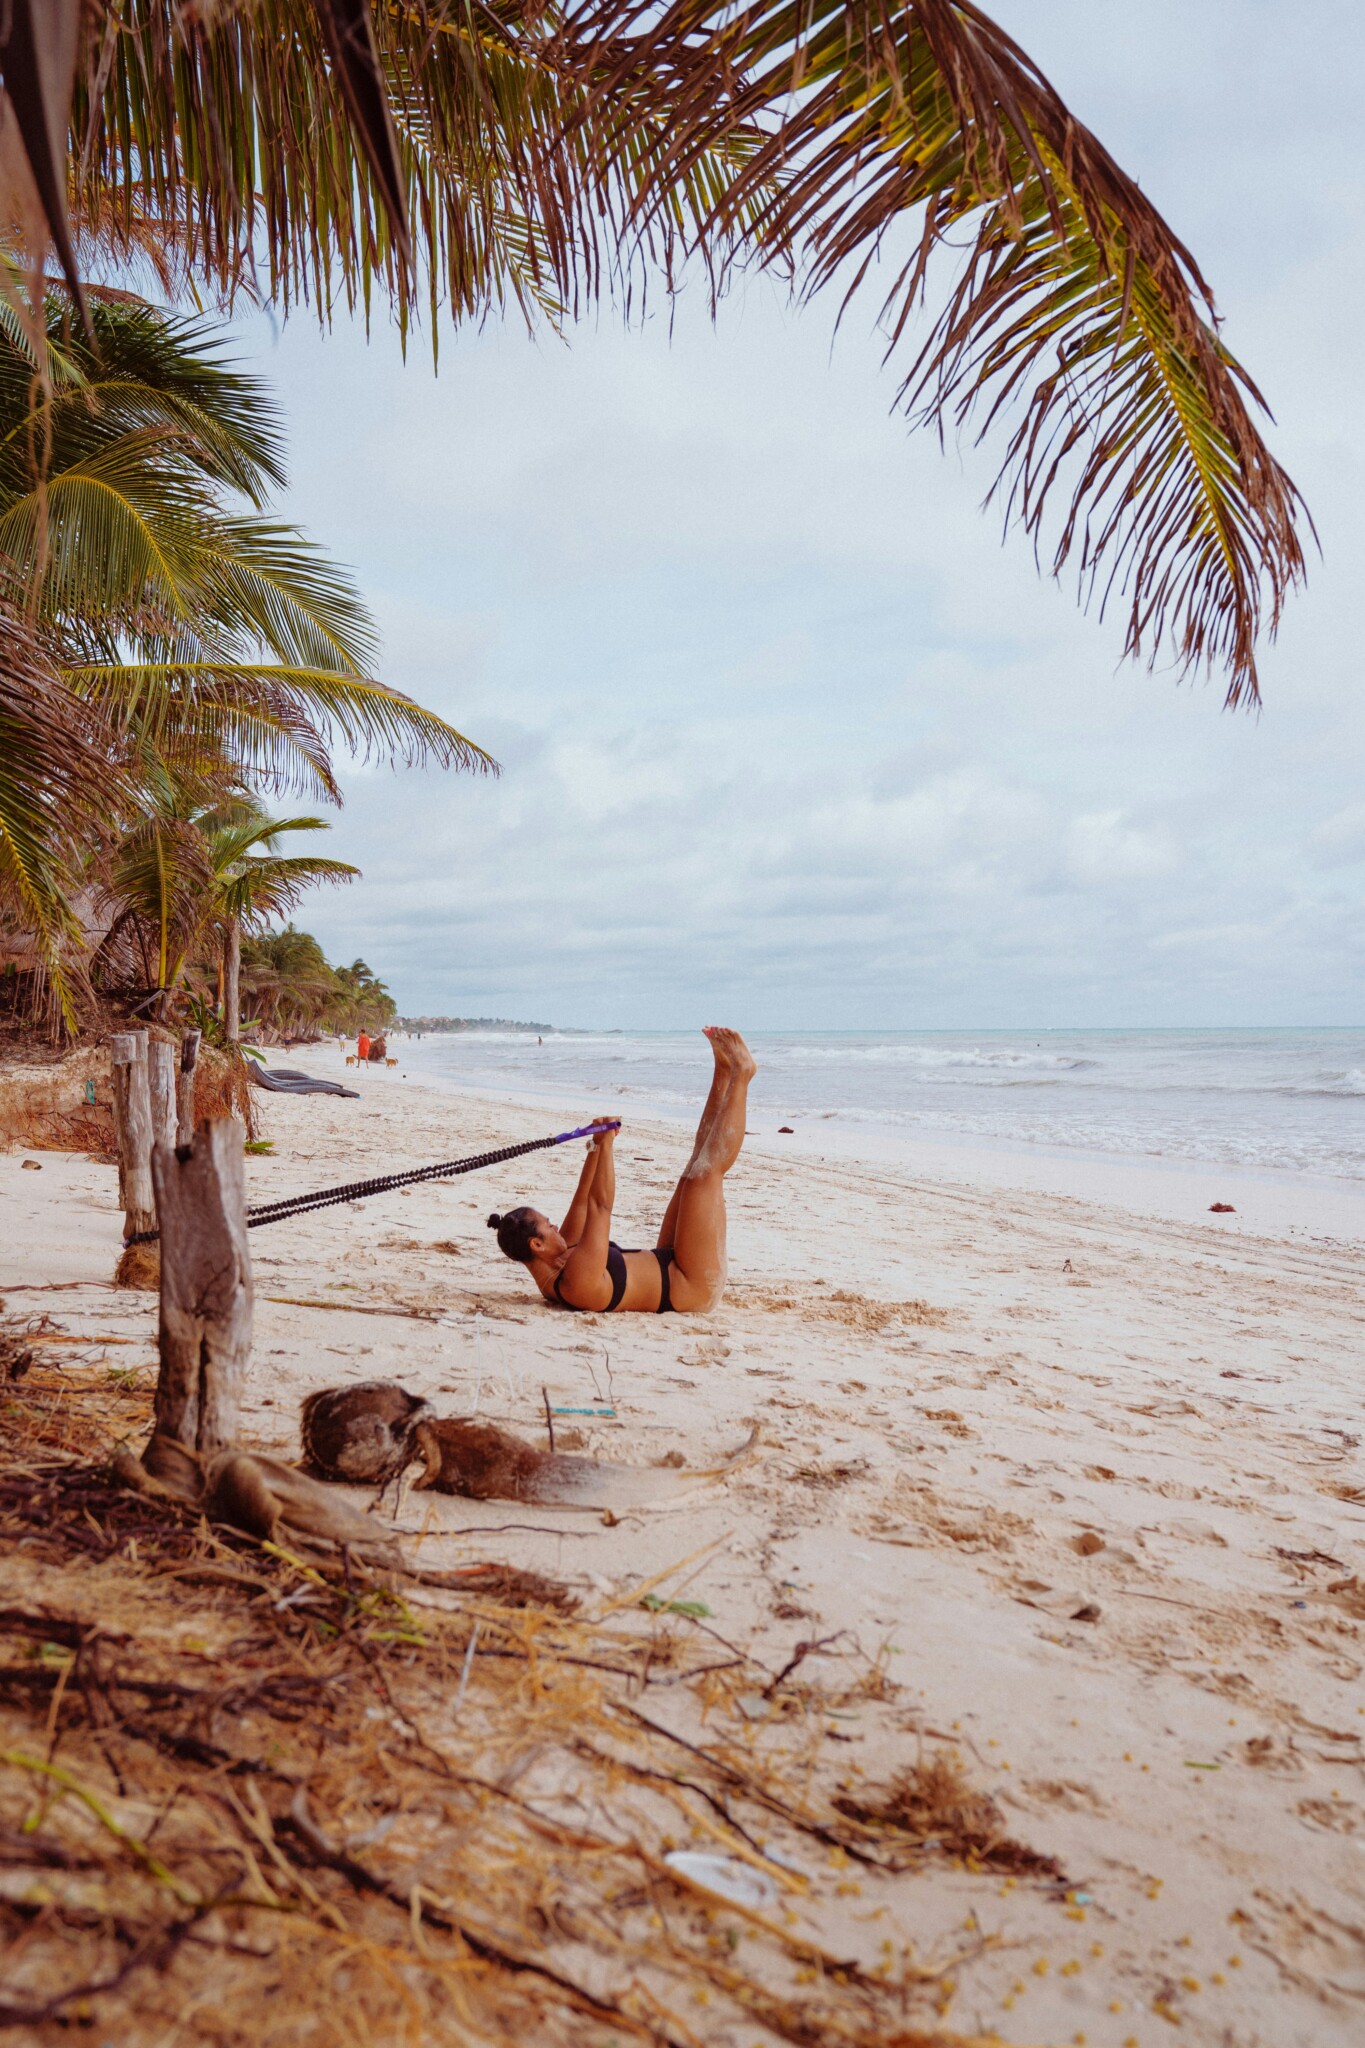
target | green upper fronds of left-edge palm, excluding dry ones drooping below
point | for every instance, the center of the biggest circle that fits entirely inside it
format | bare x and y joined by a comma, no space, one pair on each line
175,613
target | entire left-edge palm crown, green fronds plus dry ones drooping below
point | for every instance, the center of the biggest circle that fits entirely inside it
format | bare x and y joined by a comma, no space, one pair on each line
171,642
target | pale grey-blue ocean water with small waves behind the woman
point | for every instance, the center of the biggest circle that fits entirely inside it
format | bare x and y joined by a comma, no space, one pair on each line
1288,1101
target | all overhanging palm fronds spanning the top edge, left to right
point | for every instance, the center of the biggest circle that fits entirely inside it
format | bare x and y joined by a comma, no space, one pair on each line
439,155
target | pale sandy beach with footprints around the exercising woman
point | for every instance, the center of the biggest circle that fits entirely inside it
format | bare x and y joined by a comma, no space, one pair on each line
1077,1474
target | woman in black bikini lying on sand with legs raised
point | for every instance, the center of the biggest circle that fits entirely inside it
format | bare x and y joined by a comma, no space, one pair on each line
580,1269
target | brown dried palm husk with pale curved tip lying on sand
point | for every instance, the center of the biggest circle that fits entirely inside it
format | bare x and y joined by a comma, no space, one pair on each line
486,1463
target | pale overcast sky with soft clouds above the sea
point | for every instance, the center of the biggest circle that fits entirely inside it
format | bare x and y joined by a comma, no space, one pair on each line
787,736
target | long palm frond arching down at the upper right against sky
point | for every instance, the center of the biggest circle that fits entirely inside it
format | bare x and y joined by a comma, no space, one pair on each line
1080,325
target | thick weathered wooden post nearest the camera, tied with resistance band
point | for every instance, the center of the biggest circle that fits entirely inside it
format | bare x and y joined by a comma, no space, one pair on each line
206,1332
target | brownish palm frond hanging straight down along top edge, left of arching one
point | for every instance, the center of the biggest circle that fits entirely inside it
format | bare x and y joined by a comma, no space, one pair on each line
255,130
